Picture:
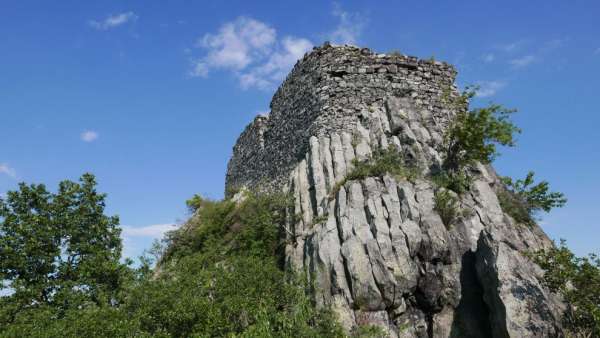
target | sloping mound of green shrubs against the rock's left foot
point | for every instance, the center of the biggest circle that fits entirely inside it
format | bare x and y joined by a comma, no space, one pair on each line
223,277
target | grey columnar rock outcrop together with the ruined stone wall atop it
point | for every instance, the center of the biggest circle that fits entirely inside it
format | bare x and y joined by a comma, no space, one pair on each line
376,248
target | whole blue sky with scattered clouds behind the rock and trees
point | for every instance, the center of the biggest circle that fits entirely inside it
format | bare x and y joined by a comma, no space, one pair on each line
150,96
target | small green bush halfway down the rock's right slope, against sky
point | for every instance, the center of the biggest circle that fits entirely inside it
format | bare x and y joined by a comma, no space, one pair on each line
522,199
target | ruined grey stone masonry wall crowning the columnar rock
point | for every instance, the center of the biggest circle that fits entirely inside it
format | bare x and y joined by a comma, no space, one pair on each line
332,89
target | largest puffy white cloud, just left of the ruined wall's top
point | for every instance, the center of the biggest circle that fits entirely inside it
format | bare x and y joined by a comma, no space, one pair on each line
251,51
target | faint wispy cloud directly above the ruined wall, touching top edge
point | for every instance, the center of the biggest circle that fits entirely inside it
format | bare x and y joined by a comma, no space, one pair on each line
349,28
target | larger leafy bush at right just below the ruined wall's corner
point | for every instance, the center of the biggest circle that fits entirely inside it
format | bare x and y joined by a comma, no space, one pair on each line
474,134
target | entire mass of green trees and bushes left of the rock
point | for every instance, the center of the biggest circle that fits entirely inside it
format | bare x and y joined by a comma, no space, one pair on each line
219,275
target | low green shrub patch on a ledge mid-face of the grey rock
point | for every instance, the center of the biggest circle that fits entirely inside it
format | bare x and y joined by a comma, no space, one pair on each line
381,162
